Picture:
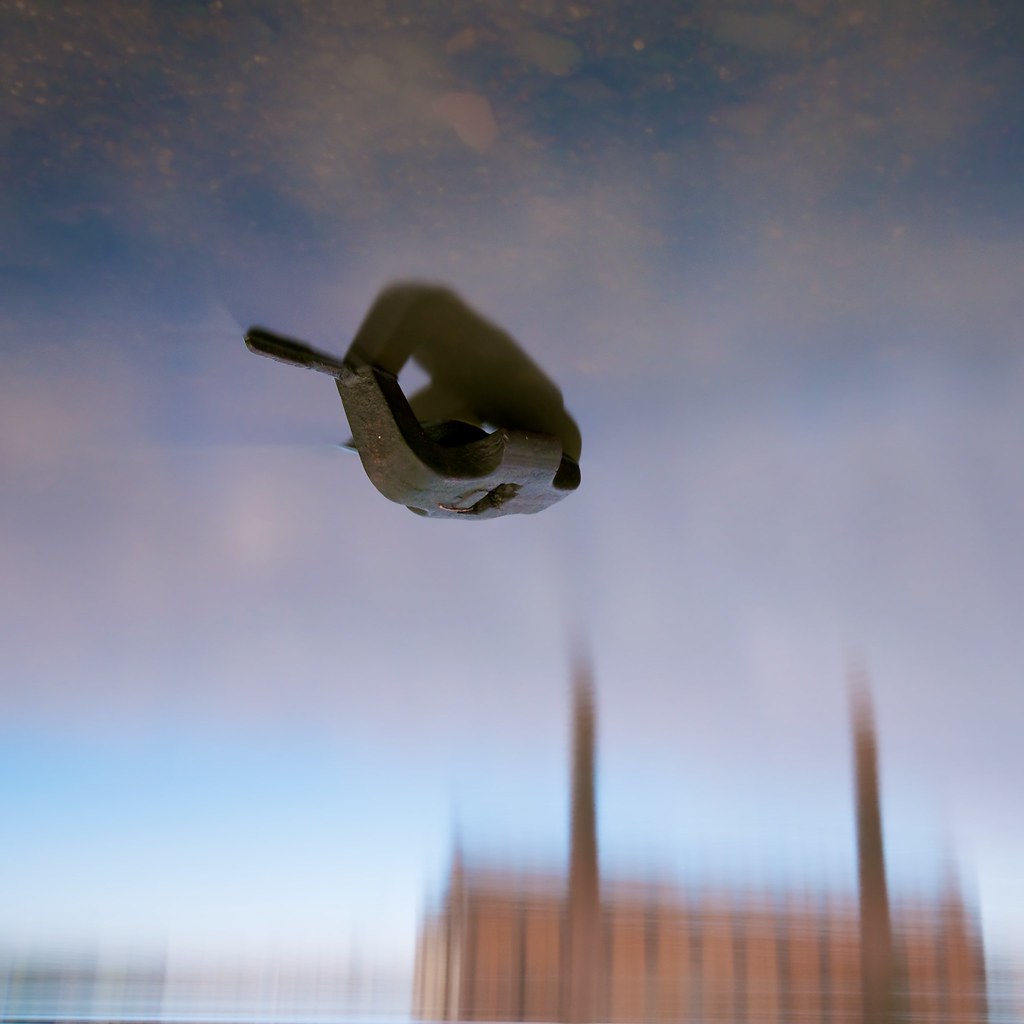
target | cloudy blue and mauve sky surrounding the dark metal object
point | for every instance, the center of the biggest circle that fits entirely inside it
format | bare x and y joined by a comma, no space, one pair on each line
772,254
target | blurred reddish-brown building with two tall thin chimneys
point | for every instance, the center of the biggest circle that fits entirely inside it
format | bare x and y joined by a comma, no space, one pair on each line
517,947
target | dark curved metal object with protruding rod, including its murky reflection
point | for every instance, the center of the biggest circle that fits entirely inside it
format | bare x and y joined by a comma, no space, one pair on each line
432,453
